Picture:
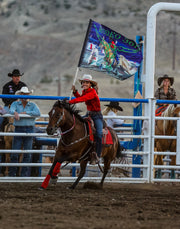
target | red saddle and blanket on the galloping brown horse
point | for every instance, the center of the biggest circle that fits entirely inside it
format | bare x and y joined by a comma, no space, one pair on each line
106,138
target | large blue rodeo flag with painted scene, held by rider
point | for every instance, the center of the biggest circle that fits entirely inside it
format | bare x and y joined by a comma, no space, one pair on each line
108,51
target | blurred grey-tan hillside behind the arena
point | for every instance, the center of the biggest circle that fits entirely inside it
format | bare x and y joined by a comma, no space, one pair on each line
44,40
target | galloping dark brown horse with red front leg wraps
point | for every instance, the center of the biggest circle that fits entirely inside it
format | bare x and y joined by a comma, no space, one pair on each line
74,144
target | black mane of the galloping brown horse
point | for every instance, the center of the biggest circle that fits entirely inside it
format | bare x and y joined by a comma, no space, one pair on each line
69,107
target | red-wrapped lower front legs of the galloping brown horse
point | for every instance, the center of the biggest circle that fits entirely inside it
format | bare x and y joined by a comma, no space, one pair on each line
54,170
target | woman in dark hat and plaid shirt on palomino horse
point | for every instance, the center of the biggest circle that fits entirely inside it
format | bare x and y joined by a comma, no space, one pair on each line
165,91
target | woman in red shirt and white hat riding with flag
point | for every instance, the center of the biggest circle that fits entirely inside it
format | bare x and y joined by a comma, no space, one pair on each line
90,97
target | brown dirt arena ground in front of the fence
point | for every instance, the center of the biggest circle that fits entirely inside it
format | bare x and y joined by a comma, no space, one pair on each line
125,206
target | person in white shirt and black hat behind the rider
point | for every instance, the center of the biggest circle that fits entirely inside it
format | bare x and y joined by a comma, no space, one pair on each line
111,110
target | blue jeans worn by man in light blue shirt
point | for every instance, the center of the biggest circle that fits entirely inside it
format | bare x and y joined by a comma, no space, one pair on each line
18,141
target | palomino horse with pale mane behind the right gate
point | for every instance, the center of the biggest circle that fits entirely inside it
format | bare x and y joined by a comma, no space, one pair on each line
168,128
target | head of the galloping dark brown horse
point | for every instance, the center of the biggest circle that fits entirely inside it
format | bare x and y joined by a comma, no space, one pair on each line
56,117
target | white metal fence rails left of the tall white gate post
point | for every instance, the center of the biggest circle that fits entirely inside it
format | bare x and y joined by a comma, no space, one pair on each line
125,165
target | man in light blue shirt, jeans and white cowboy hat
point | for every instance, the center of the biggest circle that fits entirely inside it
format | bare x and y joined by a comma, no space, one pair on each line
23,125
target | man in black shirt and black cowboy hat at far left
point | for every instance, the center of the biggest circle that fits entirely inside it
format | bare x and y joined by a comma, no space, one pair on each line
10,88
